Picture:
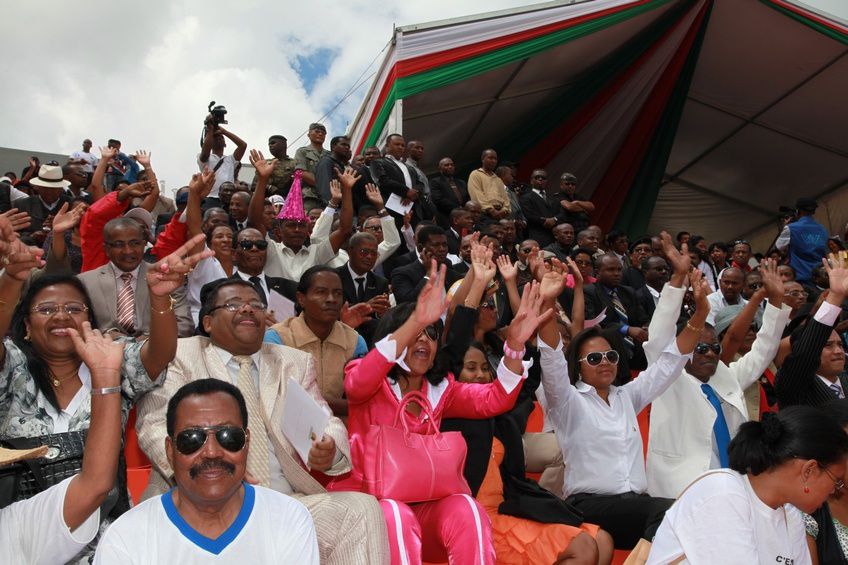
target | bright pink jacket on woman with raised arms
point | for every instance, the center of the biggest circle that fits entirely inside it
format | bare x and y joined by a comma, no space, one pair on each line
373,399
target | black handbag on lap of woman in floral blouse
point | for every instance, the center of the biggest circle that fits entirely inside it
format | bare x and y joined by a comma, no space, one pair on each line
27,478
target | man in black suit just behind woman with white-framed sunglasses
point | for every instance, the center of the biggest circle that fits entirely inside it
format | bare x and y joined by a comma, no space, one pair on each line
624,315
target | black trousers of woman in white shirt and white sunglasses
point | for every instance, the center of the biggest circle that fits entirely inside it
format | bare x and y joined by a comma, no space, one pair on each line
627,517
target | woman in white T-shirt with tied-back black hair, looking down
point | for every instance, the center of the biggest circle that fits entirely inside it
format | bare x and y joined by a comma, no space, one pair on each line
793,460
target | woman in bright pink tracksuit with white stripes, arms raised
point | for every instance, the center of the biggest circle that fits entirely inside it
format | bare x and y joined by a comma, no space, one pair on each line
455,528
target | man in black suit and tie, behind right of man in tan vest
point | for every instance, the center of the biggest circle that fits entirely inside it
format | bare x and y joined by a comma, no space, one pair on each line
360,284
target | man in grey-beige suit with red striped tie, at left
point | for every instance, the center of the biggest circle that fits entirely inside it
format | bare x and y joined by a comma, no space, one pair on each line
120,303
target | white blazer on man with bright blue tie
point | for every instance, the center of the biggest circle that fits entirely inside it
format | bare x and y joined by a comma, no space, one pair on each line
680,441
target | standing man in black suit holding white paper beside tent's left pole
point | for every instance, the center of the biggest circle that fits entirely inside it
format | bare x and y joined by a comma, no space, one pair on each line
393,177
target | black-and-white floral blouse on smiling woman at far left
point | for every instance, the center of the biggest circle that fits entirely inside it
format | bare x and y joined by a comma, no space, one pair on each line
25,412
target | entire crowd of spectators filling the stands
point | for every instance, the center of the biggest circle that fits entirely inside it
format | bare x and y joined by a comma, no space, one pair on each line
445,307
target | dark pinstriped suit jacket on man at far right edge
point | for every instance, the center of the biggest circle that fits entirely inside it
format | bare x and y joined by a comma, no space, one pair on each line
796,381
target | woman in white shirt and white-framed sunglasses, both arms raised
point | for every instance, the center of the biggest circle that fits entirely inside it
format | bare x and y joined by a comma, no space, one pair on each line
595,421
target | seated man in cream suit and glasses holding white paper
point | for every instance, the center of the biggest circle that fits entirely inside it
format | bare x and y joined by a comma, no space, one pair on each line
350,526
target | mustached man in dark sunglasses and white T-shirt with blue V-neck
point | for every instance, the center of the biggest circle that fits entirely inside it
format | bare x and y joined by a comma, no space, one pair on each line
213,515
